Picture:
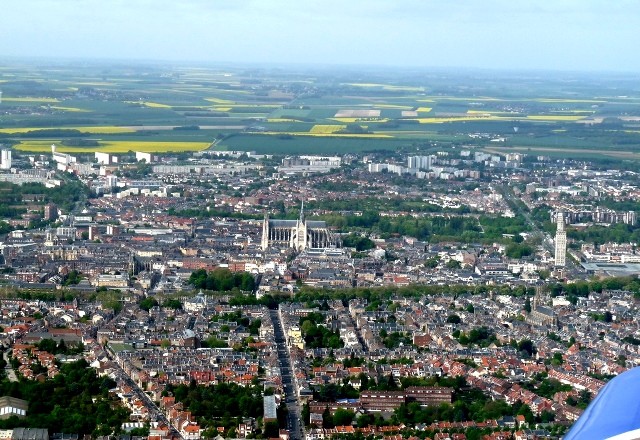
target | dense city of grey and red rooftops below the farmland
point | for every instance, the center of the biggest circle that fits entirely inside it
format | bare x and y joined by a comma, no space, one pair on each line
459,293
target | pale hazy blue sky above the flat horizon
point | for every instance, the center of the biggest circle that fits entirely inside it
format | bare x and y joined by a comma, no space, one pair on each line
567,35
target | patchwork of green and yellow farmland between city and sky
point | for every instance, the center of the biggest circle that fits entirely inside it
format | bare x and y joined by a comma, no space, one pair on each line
161,108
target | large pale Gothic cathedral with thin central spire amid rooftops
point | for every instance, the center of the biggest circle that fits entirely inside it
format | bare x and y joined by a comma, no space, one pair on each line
297,234
